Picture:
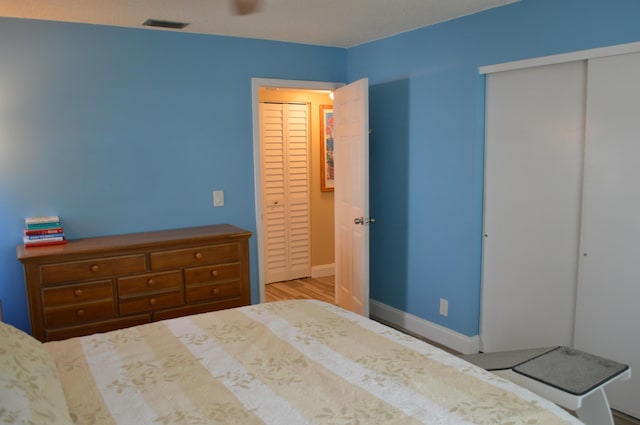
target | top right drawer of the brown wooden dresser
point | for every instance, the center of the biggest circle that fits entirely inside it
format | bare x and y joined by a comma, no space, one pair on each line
195,256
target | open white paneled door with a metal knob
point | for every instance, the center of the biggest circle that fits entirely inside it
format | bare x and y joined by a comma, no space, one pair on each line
351,196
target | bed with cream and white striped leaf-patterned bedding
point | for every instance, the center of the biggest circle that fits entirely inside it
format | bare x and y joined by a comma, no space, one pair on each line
288,362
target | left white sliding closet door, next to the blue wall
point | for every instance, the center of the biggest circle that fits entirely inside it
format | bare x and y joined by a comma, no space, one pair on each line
533,174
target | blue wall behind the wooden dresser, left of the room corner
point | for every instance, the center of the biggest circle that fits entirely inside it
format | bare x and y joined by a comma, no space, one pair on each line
125,130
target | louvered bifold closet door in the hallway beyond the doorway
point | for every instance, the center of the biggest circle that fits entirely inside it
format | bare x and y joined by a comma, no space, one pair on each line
285,190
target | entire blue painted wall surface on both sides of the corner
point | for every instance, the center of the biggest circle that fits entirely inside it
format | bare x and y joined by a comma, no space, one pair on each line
123,130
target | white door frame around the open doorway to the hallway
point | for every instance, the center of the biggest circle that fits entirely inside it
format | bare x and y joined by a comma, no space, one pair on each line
256,84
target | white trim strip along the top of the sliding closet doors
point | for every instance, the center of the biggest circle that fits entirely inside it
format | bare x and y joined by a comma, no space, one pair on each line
619,49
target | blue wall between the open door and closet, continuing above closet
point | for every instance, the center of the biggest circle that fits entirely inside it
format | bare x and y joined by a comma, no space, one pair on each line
435,70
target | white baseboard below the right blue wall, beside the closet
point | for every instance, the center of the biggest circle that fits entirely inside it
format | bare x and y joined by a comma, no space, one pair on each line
432,331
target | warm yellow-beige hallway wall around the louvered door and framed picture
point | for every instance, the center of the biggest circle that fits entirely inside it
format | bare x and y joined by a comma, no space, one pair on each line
322,233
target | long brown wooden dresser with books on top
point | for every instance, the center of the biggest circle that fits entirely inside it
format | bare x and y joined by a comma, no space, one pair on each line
111,282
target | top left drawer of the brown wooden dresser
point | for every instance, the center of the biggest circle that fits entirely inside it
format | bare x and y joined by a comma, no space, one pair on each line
91,269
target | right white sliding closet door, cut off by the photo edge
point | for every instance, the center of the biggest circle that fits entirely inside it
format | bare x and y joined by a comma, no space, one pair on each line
607,314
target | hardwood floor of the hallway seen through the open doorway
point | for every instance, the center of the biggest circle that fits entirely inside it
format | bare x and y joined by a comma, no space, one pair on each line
299,289
